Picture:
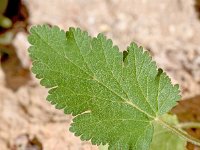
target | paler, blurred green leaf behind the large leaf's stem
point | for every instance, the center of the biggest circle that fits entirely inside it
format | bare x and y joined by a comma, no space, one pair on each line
163,139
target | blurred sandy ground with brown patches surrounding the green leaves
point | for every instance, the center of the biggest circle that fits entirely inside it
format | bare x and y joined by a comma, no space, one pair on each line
168,29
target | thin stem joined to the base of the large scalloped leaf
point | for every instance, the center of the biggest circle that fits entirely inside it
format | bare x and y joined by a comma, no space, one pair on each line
180,132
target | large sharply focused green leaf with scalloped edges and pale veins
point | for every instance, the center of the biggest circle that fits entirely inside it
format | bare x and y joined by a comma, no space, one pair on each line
114,96
